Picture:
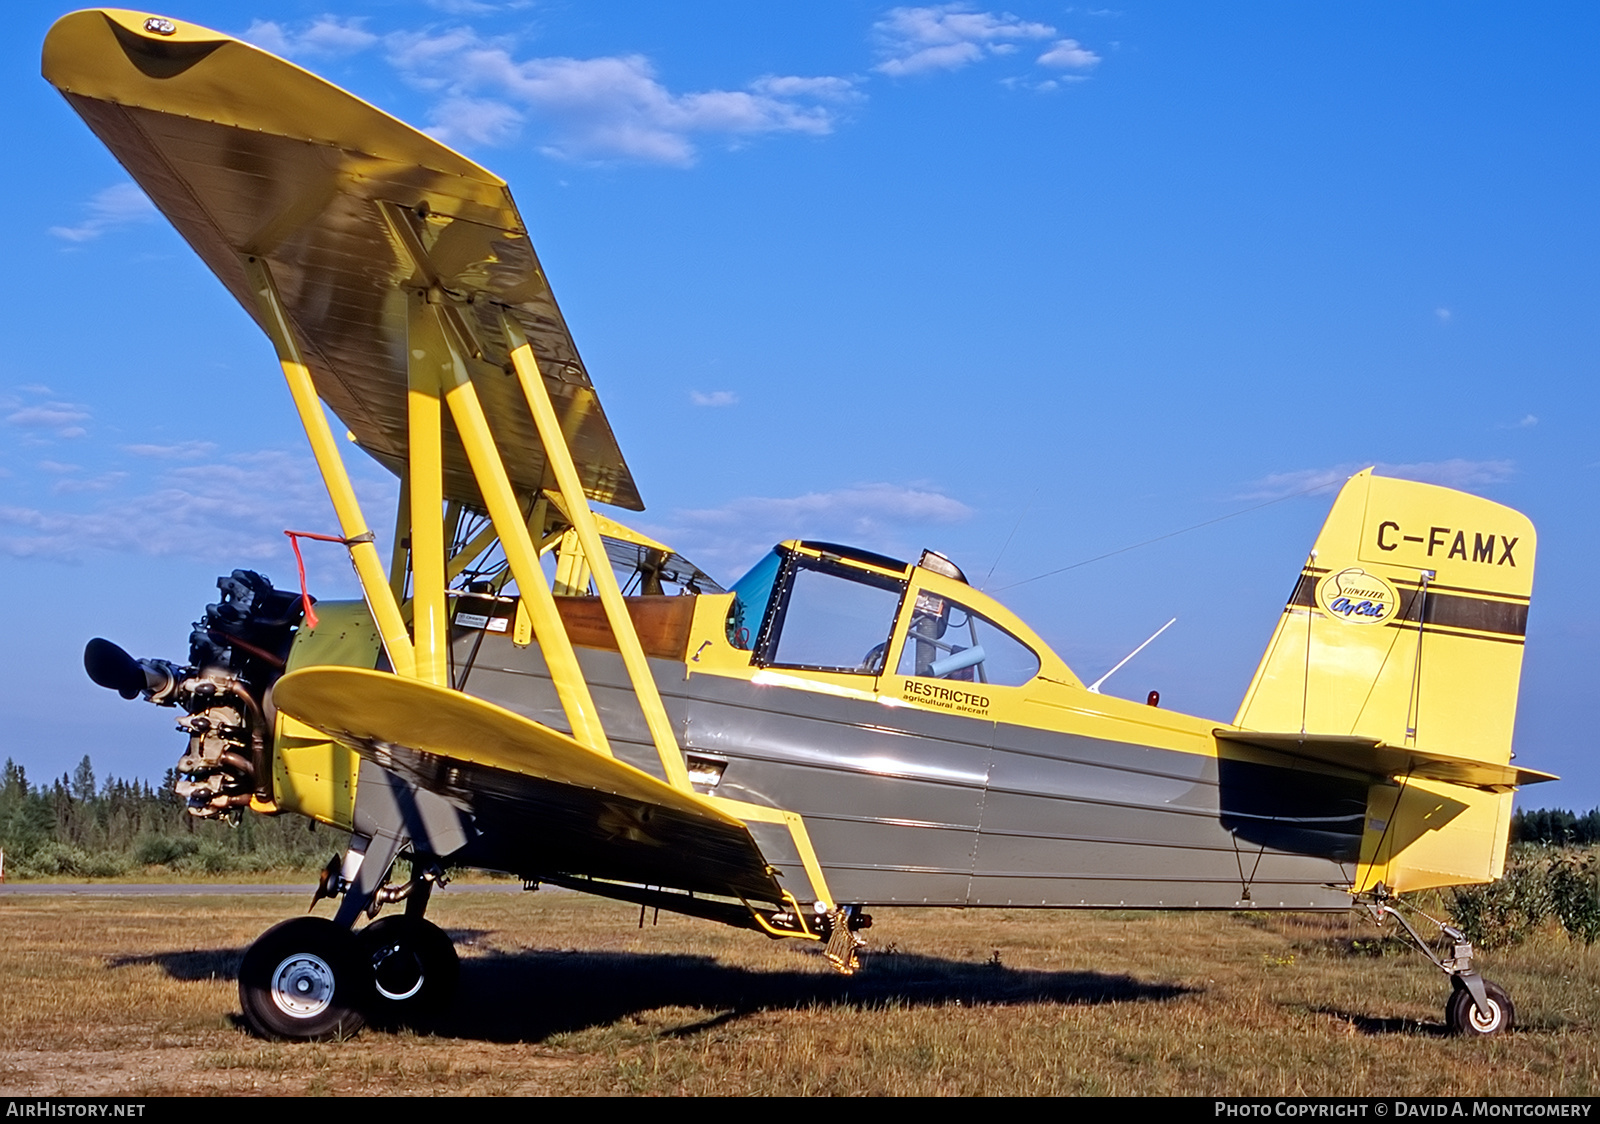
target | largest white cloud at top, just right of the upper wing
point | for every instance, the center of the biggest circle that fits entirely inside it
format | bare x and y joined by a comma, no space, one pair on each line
604,108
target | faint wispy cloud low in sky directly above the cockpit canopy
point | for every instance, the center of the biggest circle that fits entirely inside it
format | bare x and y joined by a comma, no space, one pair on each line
878,516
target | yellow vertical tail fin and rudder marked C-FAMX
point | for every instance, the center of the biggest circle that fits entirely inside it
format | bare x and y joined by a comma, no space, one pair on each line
1407,625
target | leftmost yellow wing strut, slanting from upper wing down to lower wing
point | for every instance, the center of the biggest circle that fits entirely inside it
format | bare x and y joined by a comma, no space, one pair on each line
364,555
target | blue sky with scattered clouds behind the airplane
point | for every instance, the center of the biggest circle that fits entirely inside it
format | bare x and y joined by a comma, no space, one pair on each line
1020,284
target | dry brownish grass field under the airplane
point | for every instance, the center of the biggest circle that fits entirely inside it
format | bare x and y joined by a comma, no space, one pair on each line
566,995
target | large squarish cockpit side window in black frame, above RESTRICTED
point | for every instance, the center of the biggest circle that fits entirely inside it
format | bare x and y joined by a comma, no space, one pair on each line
834,619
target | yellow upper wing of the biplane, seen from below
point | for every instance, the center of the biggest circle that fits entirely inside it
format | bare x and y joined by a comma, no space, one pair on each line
249,155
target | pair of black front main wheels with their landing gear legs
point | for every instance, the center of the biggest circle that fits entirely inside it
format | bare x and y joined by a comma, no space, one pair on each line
313,979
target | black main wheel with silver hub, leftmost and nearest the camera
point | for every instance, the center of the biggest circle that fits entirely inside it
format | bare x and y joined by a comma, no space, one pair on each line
305,979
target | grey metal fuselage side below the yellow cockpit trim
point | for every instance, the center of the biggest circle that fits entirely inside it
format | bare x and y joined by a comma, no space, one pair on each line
914,808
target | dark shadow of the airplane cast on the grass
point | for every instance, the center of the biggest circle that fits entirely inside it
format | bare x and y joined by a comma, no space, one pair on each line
532,995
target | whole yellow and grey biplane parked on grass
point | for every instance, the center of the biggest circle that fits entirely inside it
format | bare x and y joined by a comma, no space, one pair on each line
838,731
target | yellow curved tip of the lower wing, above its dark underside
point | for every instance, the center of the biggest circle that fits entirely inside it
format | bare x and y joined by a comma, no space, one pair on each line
375,710
